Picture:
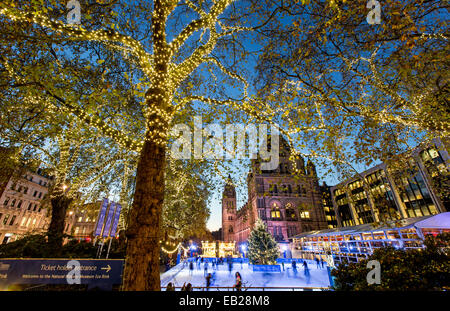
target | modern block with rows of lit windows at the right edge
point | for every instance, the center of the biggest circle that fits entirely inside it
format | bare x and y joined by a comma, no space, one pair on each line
416,187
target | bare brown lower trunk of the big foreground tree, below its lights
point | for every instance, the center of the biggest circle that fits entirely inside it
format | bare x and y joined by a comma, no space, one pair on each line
142,261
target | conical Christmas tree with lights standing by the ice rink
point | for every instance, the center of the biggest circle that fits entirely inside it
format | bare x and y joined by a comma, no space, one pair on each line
262,248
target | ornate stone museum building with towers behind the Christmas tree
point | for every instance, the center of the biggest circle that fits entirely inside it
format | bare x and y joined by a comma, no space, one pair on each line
287,205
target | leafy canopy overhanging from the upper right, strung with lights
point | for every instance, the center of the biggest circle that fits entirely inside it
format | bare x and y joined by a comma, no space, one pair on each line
363,91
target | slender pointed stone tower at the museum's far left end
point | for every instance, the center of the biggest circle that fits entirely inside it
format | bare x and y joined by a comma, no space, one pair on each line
228,211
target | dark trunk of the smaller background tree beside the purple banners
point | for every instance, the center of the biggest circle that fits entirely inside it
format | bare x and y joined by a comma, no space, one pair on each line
60,204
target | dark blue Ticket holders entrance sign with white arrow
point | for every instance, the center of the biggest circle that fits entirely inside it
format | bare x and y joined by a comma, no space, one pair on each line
61,271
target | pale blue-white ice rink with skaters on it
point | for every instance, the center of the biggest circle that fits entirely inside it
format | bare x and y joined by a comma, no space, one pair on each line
285,280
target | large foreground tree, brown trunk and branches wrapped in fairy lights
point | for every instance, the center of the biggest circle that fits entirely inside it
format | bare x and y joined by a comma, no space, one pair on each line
168,43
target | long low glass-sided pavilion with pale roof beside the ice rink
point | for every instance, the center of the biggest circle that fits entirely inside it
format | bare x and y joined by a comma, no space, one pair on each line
358,242
